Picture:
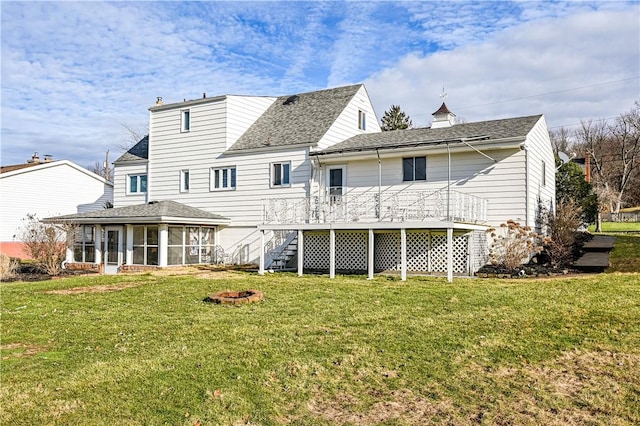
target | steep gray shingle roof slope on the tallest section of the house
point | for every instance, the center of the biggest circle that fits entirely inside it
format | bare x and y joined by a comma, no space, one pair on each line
301,119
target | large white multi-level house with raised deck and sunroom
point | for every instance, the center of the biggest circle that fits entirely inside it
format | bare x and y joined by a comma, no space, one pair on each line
310,181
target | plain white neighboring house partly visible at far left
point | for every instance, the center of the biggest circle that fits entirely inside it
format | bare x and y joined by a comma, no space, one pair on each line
45,188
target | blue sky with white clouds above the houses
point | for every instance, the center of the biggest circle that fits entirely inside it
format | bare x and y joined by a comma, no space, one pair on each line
74,74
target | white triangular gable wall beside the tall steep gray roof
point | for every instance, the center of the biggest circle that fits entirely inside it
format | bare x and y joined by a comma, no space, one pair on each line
346,125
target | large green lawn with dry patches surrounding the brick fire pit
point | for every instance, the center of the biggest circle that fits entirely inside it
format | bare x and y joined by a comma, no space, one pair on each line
145,349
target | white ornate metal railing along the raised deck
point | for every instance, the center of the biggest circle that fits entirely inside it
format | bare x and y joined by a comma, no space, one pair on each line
372,207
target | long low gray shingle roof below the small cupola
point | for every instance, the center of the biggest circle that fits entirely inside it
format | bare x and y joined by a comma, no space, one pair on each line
489,130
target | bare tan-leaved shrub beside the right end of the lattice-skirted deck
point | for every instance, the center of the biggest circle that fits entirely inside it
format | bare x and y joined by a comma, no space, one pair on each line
513,244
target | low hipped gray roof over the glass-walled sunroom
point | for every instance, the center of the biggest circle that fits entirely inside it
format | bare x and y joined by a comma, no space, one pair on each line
154,212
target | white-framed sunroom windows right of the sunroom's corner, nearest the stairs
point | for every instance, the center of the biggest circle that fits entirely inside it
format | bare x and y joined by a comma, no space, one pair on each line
190,245
